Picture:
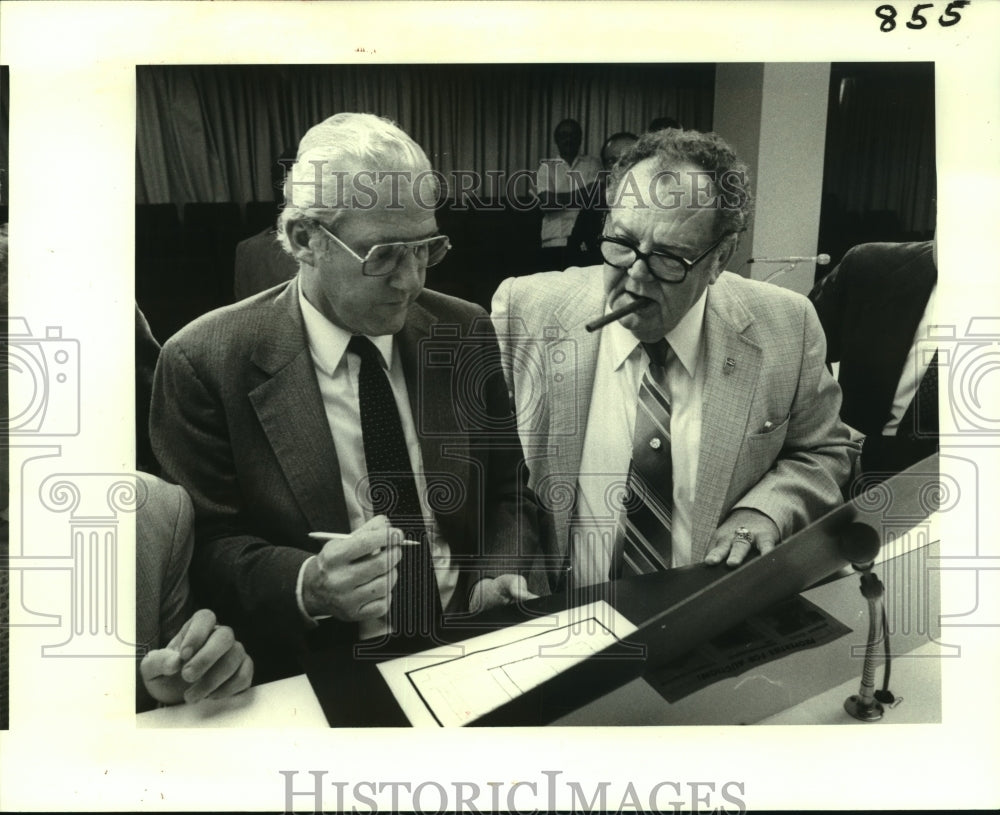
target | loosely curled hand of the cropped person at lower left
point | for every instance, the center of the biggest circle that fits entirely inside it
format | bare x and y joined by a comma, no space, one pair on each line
203,661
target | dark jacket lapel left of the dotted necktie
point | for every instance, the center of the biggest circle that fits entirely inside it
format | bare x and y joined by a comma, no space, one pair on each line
290,409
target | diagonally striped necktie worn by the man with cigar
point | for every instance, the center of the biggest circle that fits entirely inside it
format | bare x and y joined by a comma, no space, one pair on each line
644,539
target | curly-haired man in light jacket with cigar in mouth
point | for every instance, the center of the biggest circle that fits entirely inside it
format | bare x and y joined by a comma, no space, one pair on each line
700,423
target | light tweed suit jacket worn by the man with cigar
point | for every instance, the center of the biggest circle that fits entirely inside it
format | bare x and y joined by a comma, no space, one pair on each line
764,350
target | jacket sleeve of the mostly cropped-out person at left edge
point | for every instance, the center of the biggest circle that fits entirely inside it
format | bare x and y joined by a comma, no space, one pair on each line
164,532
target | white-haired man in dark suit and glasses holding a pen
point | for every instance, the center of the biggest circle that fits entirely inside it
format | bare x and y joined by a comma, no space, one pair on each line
346,438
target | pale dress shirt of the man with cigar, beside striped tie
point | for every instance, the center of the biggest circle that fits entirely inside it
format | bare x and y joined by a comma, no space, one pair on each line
607,446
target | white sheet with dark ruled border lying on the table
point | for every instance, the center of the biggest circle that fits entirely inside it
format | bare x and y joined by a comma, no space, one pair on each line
453,685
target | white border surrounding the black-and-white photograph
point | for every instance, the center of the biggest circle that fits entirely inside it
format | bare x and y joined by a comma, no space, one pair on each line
73,744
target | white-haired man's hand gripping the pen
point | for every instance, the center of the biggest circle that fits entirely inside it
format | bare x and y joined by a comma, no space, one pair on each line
352,578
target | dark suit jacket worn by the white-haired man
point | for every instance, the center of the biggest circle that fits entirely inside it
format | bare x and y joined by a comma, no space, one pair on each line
237,418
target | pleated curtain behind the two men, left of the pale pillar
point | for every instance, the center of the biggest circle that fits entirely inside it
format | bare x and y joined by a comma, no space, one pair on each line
212,133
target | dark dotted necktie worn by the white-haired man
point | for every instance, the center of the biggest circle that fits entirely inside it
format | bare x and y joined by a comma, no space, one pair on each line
392,490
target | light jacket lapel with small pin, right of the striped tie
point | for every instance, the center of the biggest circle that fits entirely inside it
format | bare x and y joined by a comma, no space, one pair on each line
733,365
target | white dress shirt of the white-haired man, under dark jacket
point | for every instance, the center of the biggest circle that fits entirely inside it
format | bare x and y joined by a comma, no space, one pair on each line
337,375
